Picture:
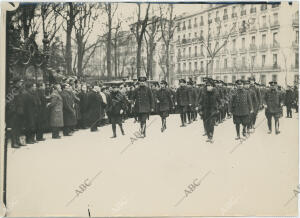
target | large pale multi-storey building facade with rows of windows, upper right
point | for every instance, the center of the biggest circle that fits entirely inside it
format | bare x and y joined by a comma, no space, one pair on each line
236,41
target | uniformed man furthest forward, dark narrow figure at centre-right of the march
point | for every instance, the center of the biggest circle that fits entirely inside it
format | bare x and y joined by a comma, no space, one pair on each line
209,108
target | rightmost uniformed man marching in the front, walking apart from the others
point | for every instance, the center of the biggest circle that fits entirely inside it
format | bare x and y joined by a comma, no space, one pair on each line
273,100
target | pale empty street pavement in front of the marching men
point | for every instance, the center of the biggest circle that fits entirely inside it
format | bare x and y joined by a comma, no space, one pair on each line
127,176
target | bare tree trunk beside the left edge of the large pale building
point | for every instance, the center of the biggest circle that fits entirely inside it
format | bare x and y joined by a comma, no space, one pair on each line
168,26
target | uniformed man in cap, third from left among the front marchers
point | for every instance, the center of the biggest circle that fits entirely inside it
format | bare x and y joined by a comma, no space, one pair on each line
165,103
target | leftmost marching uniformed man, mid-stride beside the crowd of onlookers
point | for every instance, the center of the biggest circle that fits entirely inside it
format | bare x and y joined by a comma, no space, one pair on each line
117,108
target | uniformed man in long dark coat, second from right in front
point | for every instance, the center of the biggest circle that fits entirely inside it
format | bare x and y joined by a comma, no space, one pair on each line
241,107
